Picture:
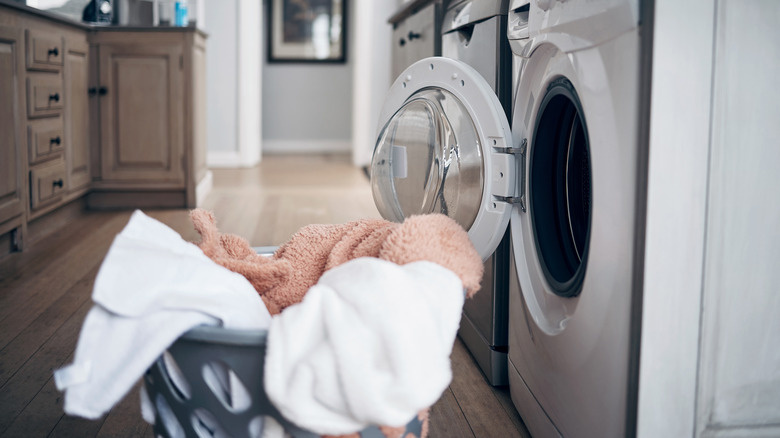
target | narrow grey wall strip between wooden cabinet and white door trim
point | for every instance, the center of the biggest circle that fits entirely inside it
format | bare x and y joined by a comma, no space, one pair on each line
221,74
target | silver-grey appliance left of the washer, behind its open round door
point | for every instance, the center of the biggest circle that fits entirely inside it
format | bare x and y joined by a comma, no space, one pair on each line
474,32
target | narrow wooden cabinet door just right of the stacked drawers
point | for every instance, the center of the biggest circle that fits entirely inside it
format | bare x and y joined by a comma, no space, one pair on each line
77,113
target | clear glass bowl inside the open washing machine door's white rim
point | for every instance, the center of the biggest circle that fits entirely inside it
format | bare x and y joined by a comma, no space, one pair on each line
430,155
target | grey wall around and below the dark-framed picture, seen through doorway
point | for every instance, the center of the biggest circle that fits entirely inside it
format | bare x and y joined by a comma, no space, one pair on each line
306,102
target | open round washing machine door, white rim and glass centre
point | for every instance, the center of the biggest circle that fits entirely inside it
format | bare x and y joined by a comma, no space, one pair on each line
444,146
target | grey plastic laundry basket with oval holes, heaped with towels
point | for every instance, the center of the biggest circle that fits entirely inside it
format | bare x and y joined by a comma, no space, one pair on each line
210,384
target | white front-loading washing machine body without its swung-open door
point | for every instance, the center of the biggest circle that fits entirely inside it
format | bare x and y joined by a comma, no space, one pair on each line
571,356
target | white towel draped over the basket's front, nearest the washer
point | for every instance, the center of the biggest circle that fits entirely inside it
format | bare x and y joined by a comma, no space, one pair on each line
369,344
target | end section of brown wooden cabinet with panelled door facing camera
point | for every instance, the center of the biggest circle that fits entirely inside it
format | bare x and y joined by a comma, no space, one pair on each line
149,100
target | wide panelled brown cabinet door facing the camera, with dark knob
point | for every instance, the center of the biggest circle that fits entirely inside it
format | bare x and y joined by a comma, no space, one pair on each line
141,113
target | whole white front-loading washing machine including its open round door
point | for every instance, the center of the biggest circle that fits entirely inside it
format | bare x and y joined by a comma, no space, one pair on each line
562,180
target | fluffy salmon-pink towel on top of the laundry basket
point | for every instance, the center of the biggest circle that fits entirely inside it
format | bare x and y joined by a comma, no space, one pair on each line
284,278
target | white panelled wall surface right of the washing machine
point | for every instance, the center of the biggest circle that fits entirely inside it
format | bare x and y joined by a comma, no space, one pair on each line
710,354
